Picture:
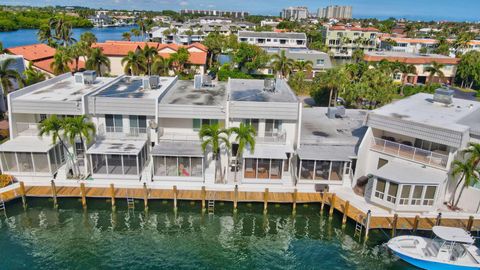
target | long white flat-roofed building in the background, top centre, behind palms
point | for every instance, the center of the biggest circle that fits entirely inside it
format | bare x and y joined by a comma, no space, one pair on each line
274,39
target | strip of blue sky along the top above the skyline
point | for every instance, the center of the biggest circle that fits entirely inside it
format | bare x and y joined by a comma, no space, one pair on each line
412,9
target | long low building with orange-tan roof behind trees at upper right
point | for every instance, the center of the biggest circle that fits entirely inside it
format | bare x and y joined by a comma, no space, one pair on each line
421,62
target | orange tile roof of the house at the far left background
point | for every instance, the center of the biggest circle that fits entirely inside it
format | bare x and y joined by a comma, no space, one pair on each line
41,56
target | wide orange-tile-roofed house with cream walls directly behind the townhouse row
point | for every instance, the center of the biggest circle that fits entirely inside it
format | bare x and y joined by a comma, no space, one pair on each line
116,50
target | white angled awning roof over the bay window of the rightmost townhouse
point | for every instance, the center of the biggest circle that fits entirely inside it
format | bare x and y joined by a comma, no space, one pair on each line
404,172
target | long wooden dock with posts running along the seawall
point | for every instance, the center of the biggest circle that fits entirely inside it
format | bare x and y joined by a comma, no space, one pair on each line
348,209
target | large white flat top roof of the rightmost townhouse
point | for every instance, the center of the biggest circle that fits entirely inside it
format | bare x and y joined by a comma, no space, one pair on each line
420,108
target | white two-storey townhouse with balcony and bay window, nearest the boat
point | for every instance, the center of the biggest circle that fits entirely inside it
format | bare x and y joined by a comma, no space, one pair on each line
404,159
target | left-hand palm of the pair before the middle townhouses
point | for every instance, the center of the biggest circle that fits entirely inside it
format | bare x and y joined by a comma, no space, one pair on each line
214,137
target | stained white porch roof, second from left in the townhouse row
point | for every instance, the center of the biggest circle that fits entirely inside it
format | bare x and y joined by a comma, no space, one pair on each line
117,146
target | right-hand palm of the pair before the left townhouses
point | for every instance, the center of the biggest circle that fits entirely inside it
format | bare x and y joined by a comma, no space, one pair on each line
80,127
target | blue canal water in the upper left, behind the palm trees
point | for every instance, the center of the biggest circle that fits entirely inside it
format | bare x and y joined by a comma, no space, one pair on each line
29,36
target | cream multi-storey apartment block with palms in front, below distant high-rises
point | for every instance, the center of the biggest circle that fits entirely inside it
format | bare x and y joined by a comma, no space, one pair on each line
343,40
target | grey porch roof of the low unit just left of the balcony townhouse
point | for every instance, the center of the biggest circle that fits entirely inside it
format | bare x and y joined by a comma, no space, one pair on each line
327,152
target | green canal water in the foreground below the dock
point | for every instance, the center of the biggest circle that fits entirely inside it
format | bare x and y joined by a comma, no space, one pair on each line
70,238
